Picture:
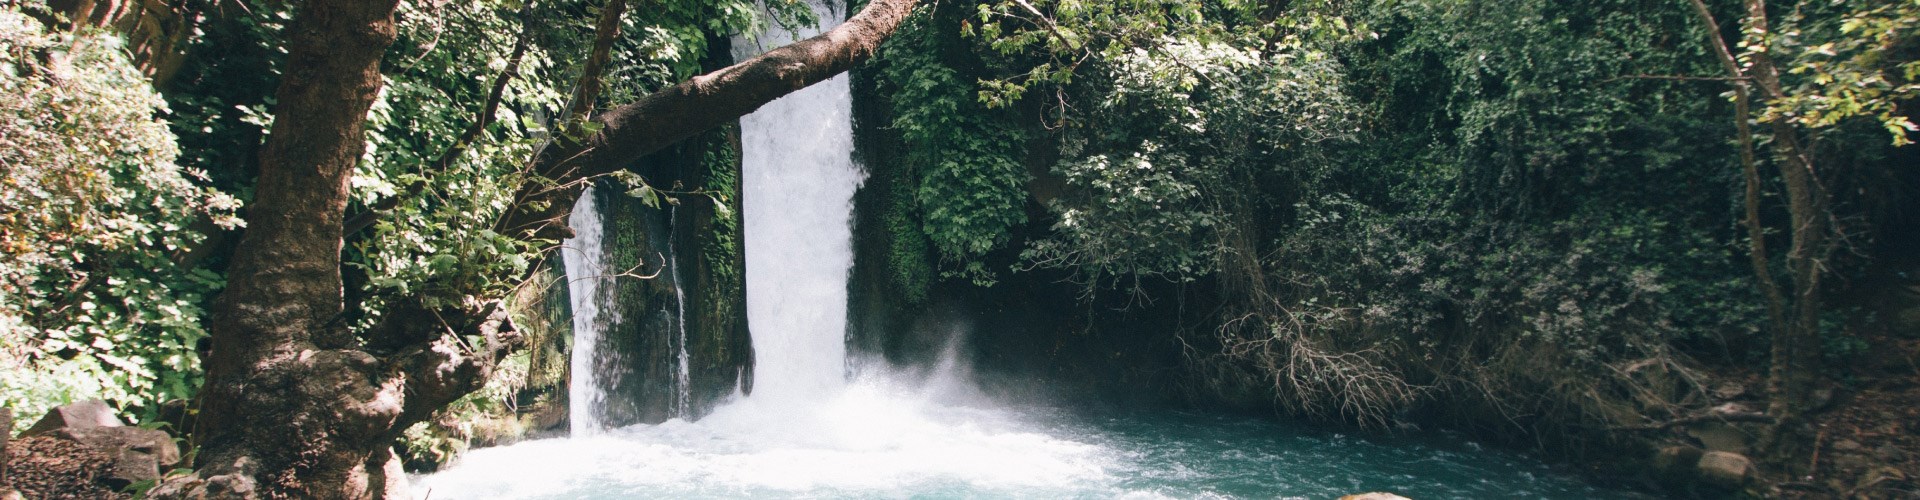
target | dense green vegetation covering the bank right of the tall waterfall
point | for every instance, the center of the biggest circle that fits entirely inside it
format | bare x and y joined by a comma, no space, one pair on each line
1518,216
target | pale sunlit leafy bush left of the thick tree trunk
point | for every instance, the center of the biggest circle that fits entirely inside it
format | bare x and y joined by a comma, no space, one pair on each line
97,224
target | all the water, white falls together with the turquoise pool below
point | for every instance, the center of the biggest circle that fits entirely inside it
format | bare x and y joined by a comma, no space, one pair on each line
809,432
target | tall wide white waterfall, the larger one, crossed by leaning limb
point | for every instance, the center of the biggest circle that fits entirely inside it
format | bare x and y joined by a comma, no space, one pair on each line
800,184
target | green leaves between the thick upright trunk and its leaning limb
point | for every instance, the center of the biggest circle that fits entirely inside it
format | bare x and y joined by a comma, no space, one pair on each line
437,243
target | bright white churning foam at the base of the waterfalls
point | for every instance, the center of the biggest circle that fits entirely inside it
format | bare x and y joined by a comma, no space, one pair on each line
873,439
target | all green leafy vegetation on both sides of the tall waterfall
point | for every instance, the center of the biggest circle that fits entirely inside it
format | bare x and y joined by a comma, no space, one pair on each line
1527,216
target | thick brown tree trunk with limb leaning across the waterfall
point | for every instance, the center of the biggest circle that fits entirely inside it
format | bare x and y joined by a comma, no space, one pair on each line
299,403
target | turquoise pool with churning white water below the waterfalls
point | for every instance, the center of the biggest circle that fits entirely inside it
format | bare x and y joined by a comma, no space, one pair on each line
884,441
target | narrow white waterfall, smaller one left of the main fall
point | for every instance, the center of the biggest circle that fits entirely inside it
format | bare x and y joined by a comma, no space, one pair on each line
585,261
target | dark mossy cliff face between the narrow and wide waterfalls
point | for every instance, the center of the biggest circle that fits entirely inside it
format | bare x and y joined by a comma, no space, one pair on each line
640,351
